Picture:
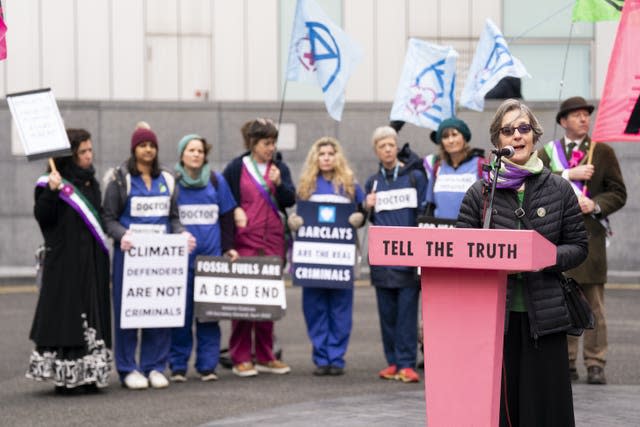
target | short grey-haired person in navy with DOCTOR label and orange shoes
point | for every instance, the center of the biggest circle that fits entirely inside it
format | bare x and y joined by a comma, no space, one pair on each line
396,197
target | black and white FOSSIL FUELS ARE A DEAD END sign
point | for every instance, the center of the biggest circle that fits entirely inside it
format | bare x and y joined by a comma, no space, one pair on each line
251,288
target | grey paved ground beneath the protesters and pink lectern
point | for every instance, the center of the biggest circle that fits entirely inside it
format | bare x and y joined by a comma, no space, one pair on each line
355,399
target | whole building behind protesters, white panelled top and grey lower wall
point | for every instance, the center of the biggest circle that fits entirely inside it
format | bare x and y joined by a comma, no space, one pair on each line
207,66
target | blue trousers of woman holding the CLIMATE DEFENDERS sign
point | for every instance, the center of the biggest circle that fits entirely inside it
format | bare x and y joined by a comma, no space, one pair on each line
154,342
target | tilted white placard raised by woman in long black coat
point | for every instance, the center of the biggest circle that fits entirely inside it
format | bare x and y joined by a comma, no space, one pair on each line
37,119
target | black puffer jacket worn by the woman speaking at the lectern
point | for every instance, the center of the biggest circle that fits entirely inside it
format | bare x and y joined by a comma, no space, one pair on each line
553,211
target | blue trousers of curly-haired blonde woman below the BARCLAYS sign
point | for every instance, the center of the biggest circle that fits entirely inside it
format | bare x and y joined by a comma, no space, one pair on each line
327,313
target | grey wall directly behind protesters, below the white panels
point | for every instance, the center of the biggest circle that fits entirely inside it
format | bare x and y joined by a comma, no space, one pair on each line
111,124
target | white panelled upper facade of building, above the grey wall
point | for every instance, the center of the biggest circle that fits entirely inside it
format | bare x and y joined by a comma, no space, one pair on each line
236,50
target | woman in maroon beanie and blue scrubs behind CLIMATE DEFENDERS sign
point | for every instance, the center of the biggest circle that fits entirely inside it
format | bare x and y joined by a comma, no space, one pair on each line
139,198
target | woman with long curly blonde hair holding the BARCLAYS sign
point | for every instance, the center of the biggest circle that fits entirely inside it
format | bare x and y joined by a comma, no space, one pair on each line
327,177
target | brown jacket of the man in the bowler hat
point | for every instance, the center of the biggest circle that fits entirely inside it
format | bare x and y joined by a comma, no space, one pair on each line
607,189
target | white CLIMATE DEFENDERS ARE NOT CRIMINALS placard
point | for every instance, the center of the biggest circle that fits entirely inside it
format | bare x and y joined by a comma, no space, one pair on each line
154,283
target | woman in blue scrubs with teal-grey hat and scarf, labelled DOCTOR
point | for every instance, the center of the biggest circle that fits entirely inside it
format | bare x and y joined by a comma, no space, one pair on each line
206,207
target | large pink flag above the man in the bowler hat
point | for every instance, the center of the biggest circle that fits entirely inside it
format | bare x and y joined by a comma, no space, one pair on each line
618,117
